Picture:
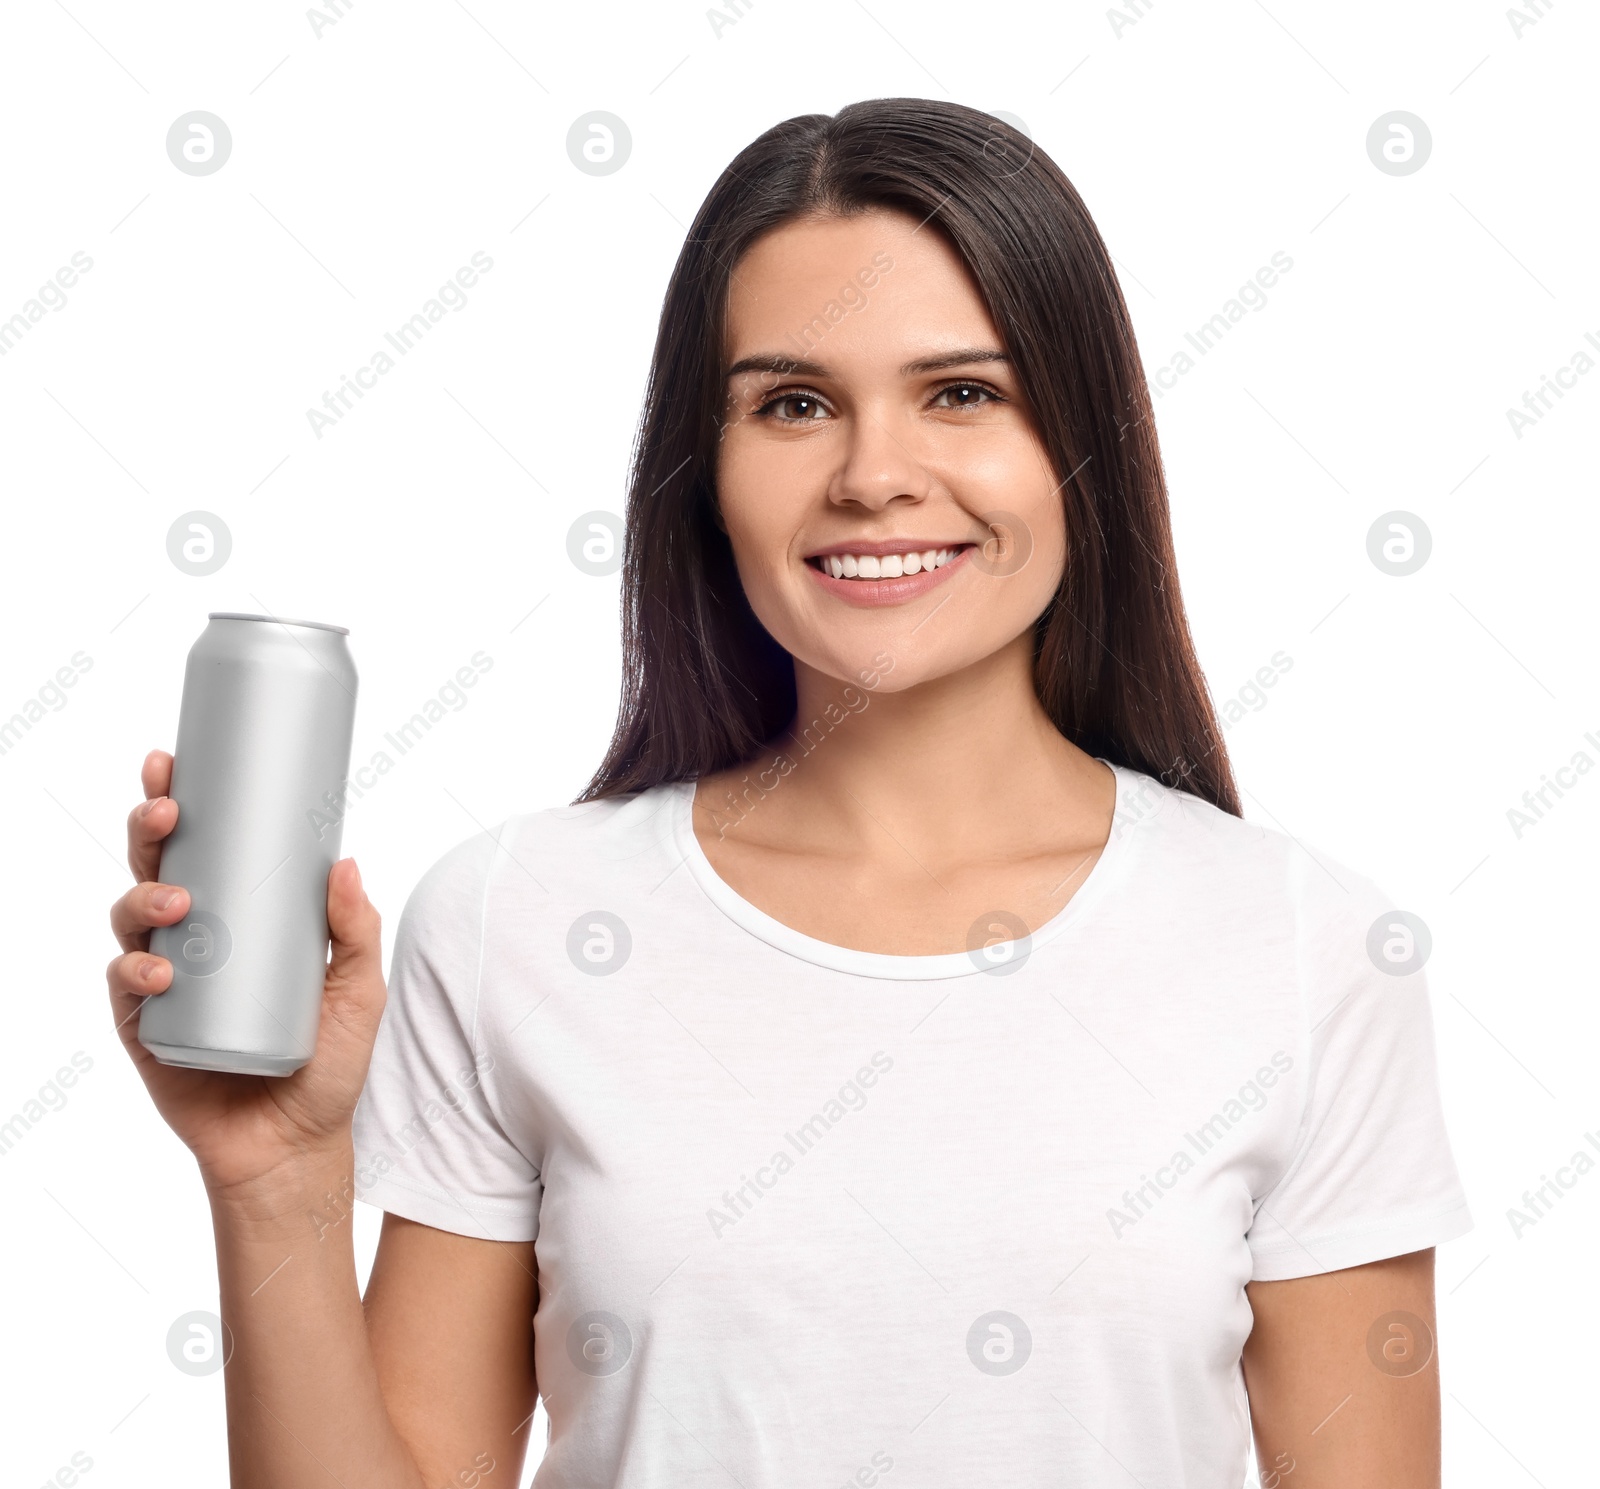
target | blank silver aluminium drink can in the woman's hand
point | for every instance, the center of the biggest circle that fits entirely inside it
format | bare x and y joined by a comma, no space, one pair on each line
260,776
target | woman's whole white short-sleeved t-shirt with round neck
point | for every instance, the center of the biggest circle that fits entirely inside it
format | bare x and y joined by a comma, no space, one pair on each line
814,1218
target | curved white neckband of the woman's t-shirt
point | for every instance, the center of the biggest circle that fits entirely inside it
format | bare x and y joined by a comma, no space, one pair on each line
882,964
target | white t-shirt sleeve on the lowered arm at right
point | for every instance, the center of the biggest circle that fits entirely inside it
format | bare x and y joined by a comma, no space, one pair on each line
1372,1173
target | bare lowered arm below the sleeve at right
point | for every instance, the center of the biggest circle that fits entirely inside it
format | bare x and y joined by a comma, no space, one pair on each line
1343,1384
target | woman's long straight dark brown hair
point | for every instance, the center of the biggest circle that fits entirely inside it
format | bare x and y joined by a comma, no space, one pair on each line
705,687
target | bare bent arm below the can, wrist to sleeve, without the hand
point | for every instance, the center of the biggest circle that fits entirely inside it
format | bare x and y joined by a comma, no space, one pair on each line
428,1386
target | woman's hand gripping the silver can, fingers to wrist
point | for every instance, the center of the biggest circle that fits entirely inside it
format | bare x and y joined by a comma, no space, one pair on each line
246,1128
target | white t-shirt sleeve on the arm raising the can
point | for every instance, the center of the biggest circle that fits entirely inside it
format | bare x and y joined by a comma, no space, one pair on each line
430,1144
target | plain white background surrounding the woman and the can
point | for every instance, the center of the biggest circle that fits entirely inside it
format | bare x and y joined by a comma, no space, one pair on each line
372,161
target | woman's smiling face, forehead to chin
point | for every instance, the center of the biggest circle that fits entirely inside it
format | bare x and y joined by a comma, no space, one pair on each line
890,508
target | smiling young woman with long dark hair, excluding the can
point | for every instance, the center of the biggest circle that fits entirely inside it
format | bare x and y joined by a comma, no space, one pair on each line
903,1063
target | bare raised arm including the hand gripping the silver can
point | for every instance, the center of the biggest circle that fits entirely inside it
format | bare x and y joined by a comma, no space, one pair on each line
431,1383
